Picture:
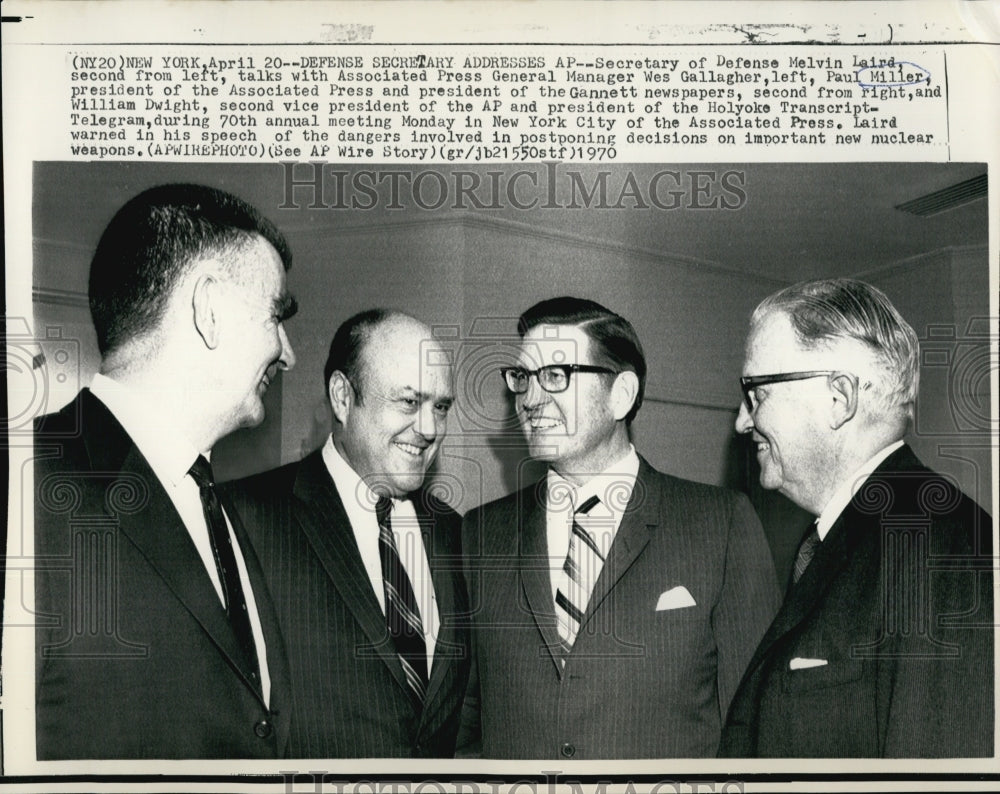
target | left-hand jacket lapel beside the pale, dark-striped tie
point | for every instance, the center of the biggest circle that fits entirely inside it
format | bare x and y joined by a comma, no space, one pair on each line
534,567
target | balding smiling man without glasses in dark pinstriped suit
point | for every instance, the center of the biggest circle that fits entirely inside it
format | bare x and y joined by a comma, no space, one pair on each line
363,560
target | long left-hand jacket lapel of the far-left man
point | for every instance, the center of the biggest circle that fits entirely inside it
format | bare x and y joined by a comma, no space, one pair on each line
156,529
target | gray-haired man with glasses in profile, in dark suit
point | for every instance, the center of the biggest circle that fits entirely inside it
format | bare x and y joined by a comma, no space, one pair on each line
884,645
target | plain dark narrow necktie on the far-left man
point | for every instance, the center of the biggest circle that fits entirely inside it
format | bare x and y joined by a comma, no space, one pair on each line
225,562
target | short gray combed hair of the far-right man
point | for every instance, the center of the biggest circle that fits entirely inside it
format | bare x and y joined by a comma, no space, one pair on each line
829,310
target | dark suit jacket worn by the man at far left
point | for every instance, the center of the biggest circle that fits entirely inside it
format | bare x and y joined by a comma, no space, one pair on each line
134,656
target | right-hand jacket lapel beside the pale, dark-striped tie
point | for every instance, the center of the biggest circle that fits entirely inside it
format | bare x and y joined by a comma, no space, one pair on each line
640,517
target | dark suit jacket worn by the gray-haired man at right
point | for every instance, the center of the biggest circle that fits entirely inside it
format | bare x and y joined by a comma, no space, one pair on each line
898,601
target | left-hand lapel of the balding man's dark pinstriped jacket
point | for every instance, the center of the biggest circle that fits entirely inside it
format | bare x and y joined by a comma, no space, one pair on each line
325,523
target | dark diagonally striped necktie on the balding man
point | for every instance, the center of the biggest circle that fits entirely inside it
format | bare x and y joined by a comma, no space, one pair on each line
401,612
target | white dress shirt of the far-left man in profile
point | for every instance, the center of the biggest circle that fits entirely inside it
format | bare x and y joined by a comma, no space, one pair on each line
170,456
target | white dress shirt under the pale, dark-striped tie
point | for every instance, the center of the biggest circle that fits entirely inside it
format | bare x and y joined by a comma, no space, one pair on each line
613,487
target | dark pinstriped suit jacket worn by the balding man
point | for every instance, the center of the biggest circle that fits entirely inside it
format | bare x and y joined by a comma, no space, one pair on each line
350,694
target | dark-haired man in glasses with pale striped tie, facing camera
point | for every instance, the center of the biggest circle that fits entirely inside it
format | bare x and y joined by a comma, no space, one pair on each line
614,607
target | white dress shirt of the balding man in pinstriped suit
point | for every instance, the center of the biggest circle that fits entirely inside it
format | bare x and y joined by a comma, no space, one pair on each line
359,503
